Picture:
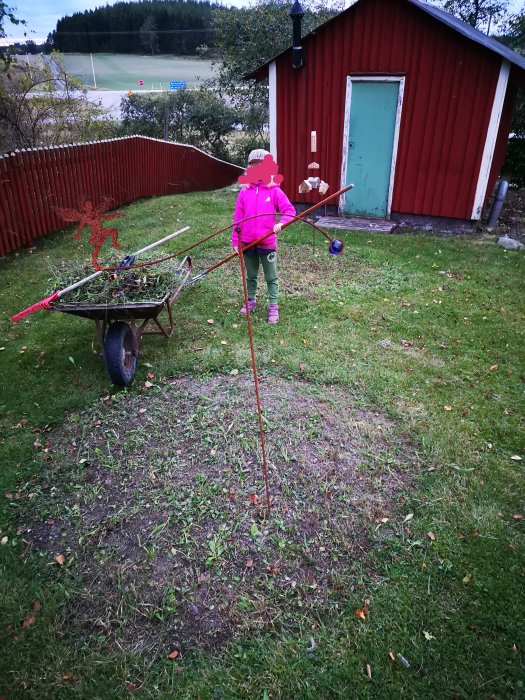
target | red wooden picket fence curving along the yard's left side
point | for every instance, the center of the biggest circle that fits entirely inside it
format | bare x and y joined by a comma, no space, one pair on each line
35,184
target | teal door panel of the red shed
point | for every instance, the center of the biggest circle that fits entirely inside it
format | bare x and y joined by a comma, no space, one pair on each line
371,136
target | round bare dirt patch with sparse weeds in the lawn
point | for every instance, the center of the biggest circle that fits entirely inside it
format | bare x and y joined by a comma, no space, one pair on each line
156,500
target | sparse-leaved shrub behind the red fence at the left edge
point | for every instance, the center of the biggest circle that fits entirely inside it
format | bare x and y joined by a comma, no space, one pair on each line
41,105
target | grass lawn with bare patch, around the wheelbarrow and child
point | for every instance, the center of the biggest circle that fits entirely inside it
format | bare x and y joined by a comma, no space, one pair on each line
133,526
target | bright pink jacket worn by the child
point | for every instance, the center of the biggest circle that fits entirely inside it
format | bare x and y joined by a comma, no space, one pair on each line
260,199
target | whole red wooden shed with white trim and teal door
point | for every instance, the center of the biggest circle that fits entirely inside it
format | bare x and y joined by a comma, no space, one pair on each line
400,98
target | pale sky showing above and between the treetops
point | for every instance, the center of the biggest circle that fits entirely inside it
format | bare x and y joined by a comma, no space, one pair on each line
42,15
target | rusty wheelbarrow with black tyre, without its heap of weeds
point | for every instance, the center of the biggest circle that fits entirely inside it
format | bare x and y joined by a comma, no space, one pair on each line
120,327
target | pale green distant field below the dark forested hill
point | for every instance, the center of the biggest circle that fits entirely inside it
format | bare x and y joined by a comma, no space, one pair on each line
123,71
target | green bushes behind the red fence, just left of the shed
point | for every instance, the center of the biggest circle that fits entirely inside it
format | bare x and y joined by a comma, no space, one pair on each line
200,118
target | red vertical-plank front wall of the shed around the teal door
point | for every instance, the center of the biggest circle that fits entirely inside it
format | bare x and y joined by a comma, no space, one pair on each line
449,88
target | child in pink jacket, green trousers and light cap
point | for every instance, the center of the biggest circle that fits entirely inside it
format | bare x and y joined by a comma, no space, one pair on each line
260,198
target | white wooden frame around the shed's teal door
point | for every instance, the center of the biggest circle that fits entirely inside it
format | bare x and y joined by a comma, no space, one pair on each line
346,130
